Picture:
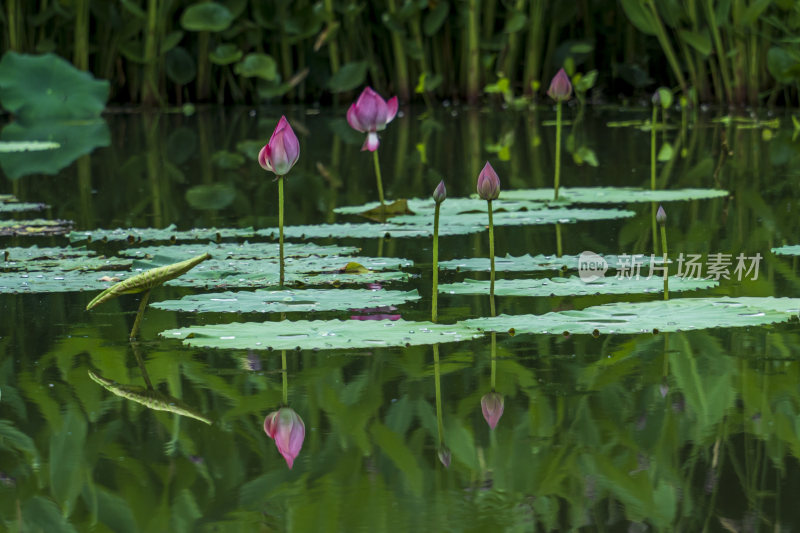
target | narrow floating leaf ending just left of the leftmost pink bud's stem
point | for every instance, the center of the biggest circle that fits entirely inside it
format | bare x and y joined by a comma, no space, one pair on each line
170,233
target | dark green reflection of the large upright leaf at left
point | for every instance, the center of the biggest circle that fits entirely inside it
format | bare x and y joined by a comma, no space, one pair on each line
74,139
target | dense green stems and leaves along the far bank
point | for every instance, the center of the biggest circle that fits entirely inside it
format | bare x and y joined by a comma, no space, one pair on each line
247,51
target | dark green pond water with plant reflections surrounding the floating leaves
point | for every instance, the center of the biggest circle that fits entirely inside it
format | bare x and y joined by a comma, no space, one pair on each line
683,431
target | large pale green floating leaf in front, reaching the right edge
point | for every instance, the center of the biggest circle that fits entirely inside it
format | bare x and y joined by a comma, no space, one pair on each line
683,314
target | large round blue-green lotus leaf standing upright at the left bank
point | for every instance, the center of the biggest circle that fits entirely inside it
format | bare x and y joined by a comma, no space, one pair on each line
49,87
